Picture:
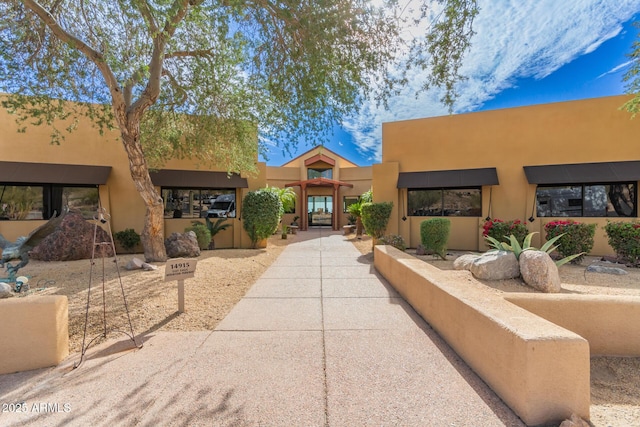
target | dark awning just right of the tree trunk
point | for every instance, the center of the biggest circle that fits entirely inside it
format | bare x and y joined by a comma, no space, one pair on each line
197,179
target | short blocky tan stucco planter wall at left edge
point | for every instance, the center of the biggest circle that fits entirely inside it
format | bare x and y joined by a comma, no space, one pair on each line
34,333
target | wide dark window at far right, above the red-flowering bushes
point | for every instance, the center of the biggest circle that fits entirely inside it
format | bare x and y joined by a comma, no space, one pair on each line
592,200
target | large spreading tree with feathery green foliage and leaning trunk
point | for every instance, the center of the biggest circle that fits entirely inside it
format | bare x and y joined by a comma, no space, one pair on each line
204,78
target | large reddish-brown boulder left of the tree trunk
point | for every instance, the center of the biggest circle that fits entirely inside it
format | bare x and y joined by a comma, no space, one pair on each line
72,240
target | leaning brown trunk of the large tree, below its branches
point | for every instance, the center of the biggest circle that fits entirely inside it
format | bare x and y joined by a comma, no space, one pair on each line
152,236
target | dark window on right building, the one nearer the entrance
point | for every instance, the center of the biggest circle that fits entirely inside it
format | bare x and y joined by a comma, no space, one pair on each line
445,202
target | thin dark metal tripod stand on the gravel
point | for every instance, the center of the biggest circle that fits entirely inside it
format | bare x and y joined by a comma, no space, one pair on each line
103,217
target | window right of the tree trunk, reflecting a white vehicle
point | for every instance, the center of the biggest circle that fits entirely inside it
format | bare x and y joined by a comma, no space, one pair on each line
199,202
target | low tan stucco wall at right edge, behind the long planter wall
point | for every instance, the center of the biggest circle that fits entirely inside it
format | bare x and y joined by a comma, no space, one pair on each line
611,324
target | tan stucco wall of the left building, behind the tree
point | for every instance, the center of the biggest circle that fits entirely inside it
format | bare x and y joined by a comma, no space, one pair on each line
85,146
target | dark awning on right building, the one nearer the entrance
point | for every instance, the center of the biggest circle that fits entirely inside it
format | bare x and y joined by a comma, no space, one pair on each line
448,178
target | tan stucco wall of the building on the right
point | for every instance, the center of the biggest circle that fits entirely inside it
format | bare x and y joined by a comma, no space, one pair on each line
585,131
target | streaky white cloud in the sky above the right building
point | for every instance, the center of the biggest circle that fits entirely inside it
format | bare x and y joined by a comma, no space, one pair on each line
513,40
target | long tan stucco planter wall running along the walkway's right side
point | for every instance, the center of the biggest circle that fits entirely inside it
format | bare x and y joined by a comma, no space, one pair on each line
541,370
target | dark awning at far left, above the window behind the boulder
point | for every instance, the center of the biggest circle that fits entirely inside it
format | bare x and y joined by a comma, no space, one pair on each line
53,173
